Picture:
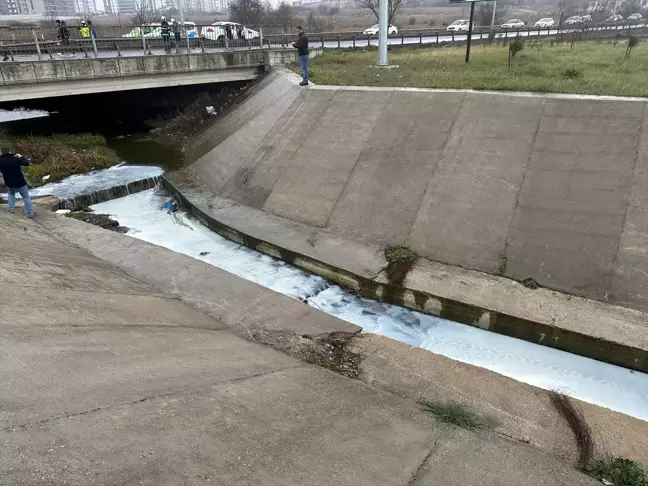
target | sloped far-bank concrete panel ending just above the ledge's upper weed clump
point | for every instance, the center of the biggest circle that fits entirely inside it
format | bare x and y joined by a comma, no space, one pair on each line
384,191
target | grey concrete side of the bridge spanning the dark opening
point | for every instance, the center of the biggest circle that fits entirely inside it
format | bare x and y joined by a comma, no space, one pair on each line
76,76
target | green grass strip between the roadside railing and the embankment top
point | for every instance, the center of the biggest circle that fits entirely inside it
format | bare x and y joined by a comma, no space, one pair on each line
590,68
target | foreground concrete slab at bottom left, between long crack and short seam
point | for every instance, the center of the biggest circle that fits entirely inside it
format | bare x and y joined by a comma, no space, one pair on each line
297,426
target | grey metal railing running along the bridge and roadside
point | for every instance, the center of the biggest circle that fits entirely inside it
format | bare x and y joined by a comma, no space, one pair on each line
19,44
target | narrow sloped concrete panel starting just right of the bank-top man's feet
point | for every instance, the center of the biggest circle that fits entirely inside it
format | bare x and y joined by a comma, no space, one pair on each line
255,179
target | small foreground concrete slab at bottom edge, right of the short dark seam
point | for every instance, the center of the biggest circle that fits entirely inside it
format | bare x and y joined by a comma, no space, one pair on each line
493,458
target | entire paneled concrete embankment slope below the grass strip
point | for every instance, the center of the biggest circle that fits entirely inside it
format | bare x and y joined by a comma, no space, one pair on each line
548,187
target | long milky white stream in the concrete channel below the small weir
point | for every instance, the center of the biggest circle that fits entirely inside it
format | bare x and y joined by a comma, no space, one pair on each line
600,383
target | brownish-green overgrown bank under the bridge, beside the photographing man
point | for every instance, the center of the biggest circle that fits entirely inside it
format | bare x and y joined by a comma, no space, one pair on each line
60,156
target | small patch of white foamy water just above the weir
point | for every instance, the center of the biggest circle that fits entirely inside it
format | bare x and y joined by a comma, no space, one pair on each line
95,181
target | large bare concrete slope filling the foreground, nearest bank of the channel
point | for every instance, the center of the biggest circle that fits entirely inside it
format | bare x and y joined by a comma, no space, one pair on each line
106,380
